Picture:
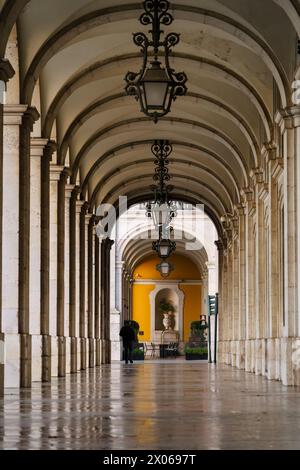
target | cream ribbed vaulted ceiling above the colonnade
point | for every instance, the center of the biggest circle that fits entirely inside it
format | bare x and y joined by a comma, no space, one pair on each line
238,55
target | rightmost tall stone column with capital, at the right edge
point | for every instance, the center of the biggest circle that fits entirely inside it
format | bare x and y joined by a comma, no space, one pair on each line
289,121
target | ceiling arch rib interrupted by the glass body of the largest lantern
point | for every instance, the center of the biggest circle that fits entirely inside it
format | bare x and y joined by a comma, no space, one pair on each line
216,104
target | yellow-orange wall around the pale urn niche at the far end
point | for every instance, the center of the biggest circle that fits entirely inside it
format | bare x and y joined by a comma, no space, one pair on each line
185,269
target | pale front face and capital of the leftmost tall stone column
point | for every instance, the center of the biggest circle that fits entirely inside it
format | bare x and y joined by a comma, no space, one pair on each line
10,242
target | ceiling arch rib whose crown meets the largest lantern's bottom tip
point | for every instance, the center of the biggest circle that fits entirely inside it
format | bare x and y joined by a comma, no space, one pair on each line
201,128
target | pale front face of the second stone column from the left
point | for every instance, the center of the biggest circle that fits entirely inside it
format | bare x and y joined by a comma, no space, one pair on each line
37,154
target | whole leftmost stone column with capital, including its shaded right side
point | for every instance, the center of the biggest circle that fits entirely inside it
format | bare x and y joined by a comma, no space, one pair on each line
18,122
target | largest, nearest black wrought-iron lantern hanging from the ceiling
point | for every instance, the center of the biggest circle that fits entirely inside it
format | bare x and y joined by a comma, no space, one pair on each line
156,86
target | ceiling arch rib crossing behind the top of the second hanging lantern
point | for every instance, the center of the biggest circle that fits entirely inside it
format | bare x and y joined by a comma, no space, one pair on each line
115,152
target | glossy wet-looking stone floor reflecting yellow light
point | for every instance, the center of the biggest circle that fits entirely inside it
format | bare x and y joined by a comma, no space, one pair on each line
153,405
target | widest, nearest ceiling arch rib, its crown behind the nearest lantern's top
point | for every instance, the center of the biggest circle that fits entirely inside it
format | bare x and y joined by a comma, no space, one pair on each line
239,32
